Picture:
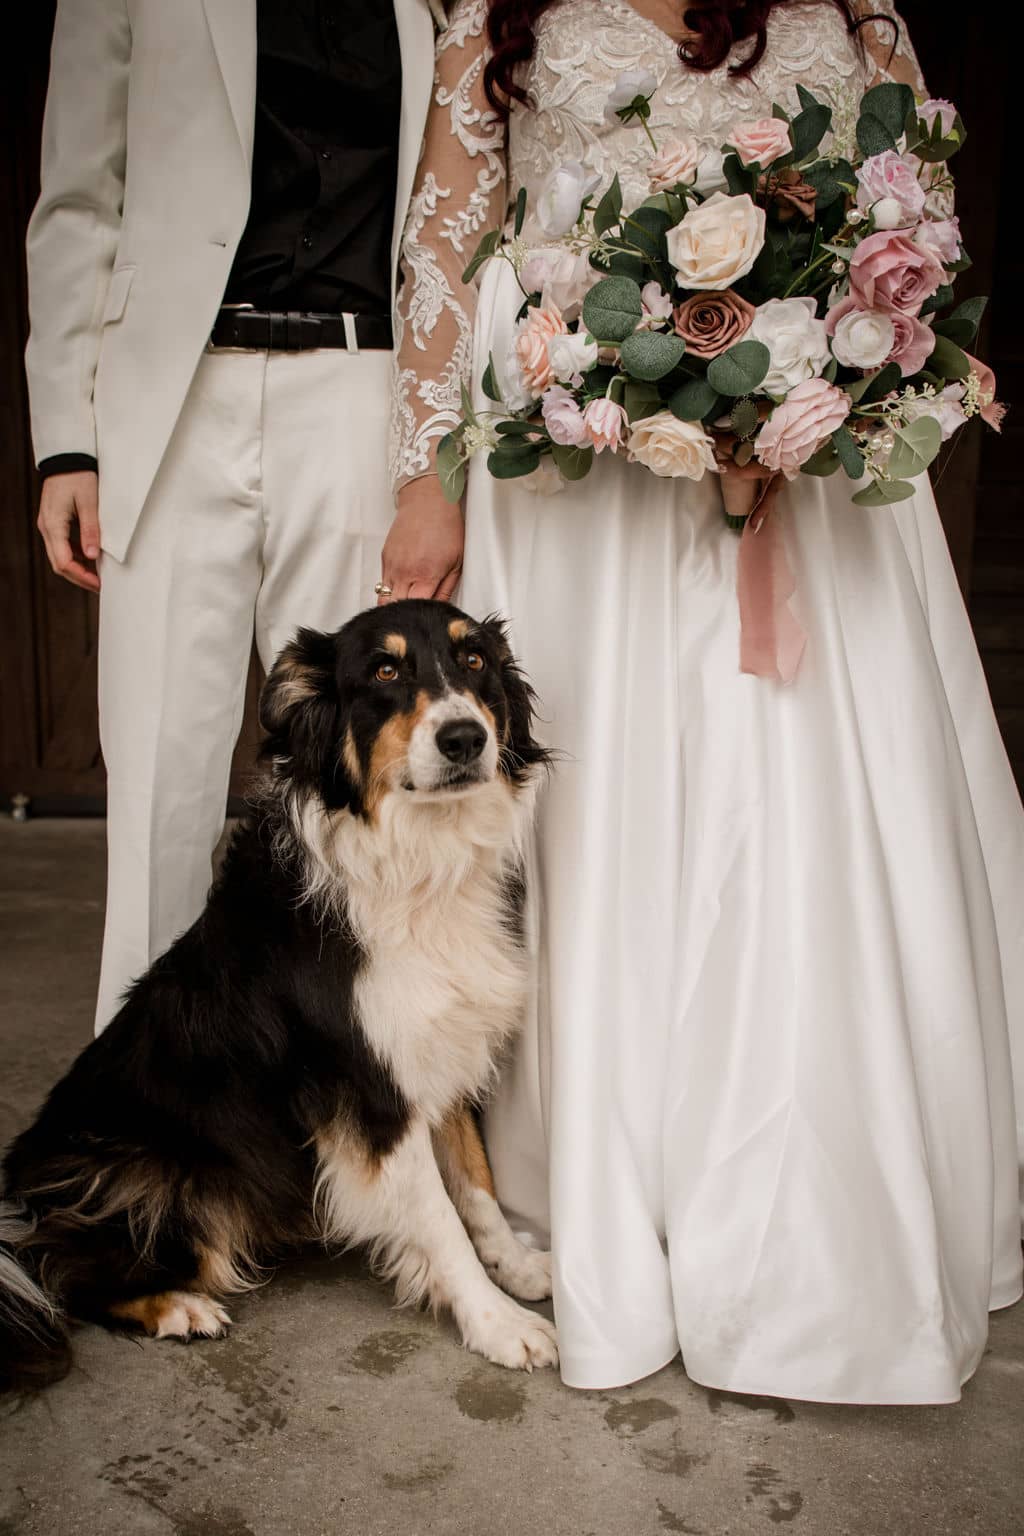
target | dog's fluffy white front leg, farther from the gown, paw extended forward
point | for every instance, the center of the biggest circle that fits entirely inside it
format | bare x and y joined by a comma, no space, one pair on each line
400,1207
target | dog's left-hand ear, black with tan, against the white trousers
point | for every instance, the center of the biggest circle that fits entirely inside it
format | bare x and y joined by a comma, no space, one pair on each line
299,706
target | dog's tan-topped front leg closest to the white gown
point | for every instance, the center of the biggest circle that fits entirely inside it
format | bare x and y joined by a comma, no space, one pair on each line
467,1174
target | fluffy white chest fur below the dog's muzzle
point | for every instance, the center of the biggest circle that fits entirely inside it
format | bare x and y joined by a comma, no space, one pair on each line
444,979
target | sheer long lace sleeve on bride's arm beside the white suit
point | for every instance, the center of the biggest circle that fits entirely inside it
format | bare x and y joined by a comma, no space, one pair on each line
460,194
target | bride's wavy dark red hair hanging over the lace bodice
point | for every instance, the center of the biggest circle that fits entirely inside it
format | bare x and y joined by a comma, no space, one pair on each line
721,25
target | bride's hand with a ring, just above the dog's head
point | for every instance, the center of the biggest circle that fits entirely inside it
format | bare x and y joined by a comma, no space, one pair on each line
423,554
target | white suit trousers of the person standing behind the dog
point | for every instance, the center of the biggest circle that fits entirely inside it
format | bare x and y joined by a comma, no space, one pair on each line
268,512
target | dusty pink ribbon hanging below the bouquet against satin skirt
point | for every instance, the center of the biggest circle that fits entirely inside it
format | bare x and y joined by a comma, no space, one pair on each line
771,638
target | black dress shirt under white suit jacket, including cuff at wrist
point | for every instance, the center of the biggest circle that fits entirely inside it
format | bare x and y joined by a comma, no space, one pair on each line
329,98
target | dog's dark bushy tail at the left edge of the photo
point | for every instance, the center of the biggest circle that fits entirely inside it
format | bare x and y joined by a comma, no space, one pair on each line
35,1340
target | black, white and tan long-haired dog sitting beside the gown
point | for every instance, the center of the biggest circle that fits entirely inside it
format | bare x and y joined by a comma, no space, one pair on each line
306,1062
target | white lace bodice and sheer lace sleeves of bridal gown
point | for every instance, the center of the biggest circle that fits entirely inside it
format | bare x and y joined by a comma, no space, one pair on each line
472,159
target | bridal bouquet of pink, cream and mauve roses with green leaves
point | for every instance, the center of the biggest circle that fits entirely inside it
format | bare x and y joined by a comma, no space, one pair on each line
781,305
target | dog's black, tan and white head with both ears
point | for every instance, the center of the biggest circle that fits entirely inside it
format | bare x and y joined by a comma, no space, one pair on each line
412,700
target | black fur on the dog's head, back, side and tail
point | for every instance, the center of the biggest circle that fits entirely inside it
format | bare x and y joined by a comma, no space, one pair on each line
188,1127
